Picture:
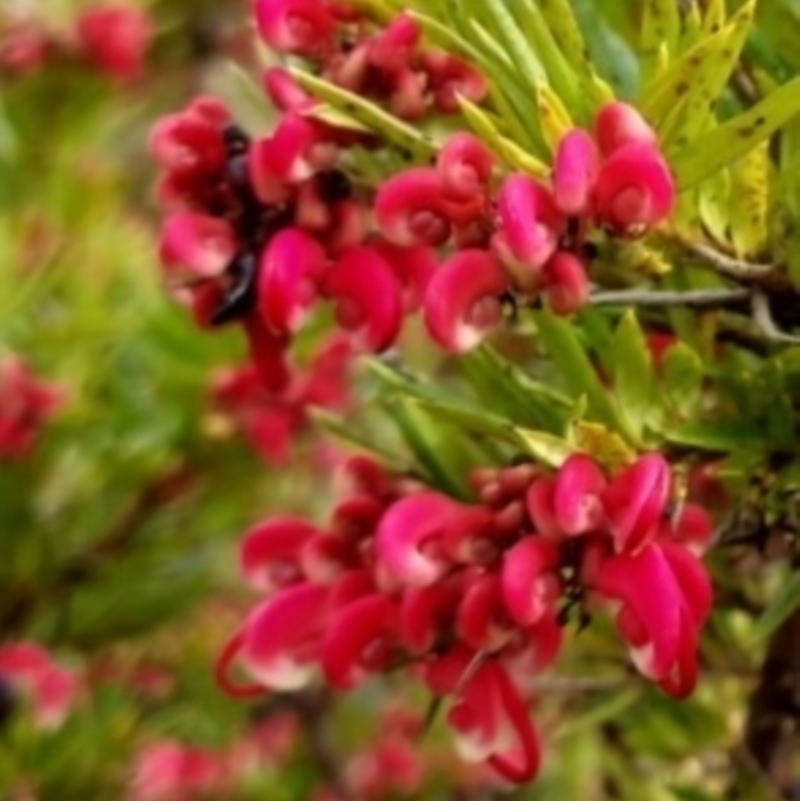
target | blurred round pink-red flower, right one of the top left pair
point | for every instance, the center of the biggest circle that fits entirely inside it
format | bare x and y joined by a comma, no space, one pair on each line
115,37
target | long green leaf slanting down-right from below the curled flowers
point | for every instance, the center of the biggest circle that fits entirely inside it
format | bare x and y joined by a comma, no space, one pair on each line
580,375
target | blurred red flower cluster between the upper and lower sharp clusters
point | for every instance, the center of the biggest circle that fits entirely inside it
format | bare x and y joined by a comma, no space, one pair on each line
271,421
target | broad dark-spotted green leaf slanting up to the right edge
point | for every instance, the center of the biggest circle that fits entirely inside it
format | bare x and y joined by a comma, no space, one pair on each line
720,147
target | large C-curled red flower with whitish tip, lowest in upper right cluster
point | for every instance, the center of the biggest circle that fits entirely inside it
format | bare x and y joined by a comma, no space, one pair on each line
462,302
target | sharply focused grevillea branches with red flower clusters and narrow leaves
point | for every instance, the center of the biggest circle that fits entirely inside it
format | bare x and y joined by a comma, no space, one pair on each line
413,167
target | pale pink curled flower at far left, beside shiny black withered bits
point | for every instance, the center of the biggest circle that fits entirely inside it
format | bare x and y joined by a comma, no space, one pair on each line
195,245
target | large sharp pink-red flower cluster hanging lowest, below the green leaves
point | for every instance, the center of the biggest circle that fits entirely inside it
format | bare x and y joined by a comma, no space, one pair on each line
471,598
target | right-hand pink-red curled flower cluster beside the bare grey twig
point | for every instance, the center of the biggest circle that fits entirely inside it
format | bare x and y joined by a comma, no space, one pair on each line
526,238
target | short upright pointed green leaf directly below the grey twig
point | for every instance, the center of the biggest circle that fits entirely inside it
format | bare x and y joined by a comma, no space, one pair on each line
634,378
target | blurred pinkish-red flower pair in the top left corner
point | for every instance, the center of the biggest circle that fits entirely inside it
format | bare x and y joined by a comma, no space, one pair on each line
111,37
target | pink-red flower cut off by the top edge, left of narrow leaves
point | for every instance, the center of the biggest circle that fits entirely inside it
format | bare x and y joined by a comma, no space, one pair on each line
303,27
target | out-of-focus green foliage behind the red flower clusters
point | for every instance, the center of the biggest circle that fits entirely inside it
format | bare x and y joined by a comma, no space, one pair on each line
119,533
